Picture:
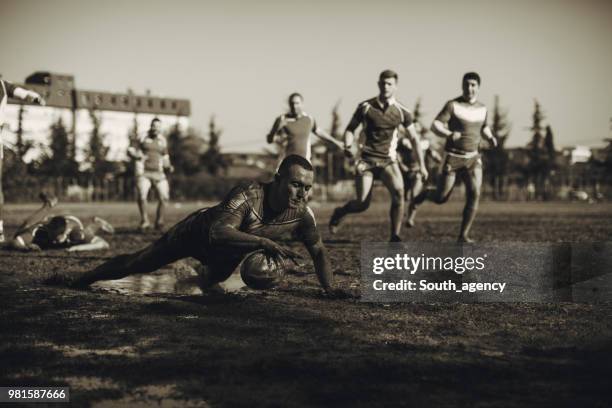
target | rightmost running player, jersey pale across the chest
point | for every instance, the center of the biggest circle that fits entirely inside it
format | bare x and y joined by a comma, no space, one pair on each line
462,121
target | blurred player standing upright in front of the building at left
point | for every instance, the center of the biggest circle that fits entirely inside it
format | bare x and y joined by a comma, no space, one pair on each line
152,160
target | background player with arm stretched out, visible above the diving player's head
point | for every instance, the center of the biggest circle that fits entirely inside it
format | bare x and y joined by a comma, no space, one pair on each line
296,126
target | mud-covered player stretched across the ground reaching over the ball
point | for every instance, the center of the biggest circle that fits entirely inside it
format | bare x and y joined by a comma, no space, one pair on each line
250,218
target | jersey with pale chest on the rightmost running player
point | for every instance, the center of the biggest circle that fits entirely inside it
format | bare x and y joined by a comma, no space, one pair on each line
467,118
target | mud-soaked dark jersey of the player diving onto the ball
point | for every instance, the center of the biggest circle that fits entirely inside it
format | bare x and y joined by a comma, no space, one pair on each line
245,209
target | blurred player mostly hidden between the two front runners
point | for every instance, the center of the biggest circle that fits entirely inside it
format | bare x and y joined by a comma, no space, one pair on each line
409,165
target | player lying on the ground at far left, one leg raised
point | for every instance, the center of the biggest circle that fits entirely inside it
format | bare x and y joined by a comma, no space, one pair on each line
40,231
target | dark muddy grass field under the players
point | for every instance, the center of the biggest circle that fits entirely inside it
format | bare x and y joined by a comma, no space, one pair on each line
158,344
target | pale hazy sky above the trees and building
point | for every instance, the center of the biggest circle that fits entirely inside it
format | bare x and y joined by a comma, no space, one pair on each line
240,60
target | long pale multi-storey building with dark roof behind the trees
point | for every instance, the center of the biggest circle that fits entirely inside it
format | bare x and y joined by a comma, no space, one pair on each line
118,113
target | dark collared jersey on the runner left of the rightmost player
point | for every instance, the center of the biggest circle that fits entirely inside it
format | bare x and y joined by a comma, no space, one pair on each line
380,126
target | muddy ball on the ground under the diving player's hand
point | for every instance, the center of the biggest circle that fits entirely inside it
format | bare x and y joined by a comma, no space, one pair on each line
261,271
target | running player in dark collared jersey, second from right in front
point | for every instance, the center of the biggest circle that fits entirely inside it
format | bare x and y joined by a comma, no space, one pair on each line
381,118
